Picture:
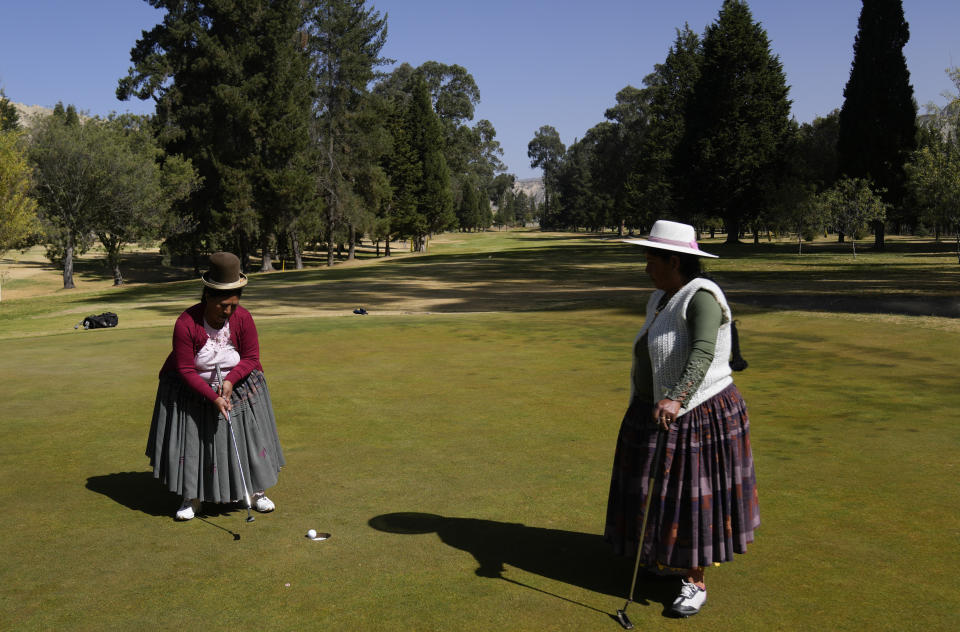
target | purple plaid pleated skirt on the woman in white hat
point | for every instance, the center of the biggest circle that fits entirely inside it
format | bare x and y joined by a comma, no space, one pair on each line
704,507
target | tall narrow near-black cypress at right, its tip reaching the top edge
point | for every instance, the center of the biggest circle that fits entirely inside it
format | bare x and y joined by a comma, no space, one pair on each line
878,119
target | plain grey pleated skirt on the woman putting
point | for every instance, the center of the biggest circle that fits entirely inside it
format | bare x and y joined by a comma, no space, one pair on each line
190,447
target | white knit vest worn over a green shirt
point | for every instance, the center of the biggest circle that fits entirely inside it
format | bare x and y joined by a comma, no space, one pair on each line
668,343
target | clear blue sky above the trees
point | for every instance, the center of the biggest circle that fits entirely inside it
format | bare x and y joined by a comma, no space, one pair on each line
536,62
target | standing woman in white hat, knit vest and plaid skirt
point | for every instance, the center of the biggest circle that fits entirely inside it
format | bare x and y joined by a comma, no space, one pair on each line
704,504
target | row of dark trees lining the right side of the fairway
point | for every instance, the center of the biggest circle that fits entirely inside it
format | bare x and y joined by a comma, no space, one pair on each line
709,140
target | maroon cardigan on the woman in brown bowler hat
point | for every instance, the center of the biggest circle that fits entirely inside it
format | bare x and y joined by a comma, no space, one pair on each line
189,336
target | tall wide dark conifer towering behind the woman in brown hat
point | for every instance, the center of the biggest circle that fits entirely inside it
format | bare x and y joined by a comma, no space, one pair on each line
232,92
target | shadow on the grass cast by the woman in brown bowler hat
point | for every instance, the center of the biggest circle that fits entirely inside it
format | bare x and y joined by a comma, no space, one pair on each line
140,491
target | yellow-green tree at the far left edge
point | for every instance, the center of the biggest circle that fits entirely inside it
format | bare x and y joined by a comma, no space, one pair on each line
18,220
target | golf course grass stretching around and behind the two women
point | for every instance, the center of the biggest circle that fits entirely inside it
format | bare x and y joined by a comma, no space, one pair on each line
481,399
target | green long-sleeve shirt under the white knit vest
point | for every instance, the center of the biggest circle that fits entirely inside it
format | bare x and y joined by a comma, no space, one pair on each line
704,317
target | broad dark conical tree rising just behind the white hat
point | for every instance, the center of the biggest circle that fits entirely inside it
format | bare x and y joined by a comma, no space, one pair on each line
737,121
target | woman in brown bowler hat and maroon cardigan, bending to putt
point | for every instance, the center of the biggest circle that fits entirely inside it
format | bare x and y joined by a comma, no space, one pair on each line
189,445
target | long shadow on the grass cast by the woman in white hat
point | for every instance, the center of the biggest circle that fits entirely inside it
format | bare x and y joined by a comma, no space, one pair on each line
579,559
